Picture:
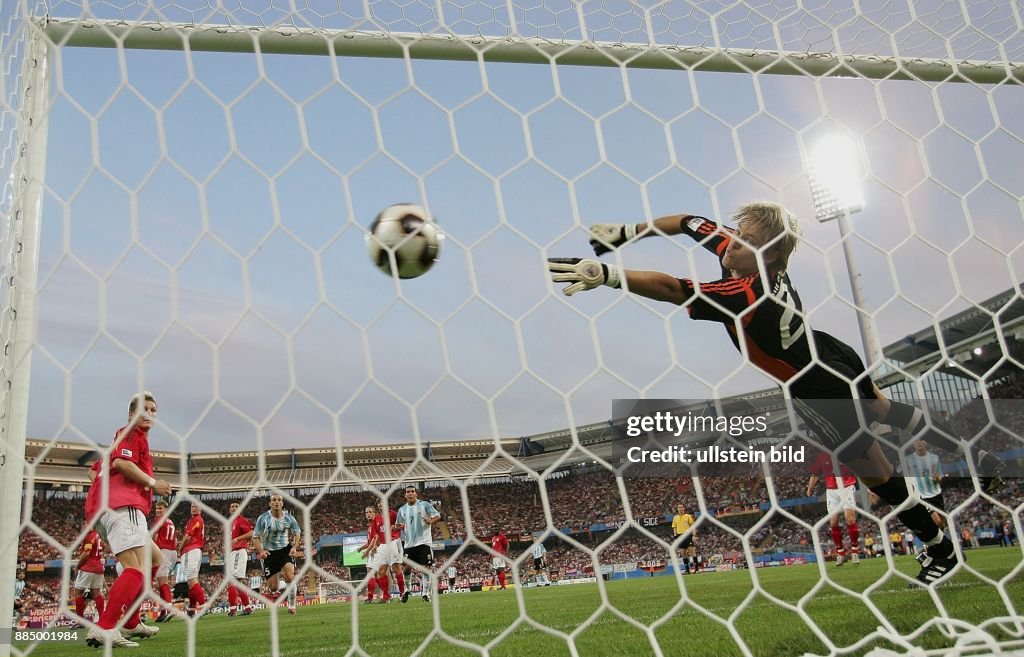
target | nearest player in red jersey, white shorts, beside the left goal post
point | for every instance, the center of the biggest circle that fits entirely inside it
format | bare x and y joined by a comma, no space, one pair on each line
120,498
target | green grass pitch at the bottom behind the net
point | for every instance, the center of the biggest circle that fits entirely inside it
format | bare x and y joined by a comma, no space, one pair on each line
479,619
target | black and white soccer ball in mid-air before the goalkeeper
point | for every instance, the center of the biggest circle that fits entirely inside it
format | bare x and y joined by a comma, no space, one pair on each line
406,232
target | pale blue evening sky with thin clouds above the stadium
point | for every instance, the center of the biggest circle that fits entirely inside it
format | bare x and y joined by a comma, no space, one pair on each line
203,226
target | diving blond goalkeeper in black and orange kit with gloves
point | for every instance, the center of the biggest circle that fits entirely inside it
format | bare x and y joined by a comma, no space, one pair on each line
756,302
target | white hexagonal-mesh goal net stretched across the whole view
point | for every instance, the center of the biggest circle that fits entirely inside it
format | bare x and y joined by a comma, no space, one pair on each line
187,193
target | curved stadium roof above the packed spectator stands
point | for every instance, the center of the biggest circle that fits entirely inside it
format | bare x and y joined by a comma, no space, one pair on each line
957,340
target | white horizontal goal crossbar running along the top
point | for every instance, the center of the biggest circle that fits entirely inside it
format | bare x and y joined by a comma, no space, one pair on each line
288,40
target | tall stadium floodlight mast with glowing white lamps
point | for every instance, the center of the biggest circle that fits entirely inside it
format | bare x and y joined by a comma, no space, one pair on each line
836,193
